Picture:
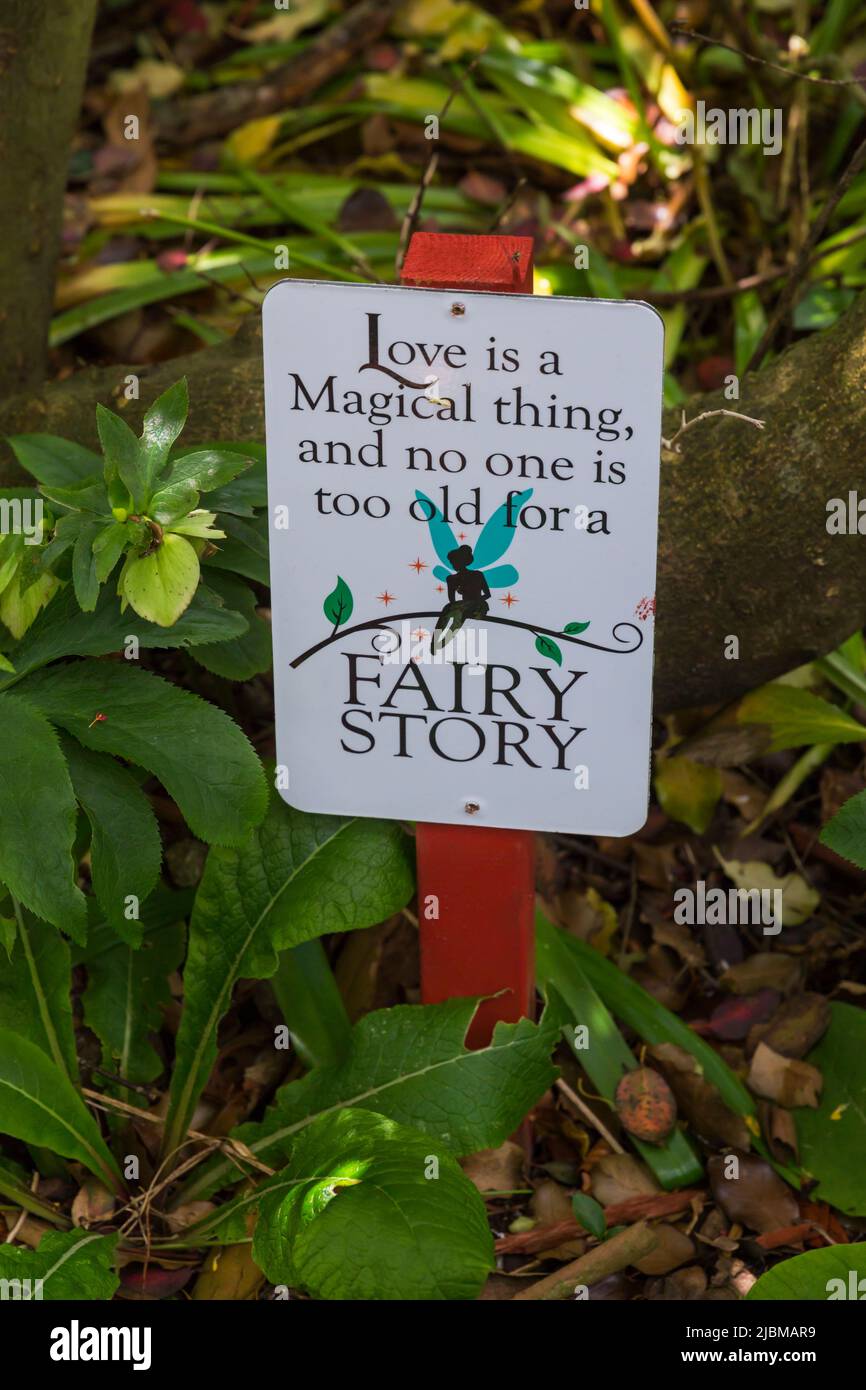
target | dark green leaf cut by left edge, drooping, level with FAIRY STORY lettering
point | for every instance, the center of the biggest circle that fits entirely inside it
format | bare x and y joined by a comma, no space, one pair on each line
38,818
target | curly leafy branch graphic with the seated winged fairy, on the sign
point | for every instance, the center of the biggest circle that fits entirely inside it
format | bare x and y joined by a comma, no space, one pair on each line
471,575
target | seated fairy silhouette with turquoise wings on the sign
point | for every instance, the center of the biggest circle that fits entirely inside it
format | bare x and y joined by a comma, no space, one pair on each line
468,575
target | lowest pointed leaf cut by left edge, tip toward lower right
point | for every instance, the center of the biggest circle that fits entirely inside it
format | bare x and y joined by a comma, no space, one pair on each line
40,1104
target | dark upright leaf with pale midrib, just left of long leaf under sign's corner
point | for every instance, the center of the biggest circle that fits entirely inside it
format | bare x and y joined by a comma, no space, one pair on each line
126,995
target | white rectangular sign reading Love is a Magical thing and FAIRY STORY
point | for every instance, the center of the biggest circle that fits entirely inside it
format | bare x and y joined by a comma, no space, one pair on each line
464,496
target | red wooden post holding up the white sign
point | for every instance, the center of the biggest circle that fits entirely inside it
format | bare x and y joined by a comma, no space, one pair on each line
484,883
